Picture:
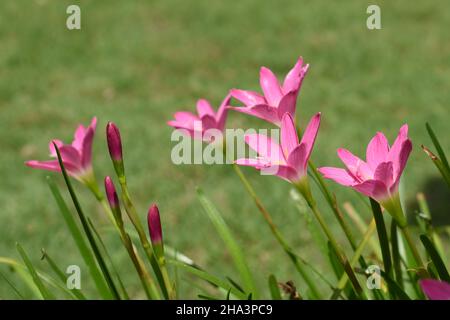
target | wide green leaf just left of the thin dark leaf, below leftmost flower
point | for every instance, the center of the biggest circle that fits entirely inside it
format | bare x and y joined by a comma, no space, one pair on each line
79,241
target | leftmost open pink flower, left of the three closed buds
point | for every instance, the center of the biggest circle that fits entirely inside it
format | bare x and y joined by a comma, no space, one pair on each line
77,157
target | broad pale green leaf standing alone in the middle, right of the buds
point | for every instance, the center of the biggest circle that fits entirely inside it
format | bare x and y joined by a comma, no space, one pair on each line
232,246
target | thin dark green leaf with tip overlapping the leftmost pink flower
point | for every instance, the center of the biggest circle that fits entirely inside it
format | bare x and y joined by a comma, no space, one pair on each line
87,230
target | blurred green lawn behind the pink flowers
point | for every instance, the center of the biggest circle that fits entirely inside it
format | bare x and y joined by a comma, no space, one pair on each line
137,62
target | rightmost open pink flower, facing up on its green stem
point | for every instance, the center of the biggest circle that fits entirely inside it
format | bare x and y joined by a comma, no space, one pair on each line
379,176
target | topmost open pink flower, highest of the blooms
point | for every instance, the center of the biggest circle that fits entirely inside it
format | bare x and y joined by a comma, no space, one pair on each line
278,98
